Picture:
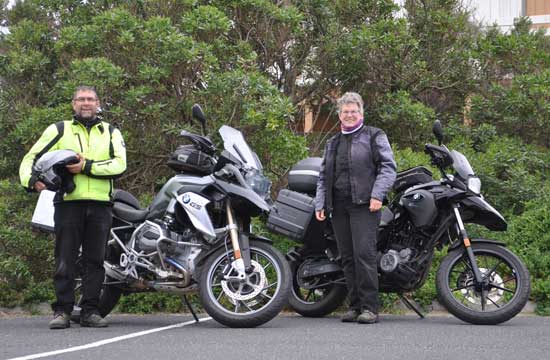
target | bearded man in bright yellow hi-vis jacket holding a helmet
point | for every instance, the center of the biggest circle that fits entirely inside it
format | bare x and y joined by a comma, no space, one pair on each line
84,216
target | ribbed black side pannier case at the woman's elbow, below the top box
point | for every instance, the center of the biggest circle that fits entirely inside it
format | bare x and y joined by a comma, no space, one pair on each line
291,214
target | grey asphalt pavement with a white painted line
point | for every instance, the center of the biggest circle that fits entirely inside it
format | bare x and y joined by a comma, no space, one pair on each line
286,337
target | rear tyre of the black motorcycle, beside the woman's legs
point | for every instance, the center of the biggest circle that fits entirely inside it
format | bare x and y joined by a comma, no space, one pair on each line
333,297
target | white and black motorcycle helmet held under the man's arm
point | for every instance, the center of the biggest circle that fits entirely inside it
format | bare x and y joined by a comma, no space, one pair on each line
50,169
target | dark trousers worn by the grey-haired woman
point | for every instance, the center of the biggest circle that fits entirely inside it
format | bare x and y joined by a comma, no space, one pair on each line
355,228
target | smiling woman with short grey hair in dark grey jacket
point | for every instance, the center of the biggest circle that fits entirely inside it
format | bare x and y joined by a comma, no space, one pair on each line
358,170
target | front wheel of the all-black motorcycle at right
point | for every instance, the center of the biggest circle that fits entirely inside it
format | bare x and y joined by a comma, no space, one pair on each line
502,294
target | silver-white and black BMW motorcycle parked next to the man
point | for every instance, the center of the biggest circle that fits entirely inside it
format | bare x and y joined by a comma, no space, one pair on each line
196,235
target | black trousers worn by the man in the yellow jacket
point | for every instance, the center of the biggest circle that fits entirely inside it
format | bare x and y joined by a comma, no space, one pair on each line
77,224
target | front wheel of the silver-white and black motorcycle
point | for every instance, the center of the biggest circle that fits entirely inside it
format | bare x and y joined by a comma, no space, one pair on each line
249,302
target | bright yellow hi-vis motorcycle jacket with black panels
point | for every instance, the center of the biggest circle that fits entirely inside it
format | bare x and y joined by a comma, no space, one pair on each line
102,146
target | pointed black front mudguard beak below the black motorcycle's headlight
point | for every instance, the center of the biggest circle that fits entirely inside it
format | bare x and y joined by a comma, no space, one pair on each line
478,211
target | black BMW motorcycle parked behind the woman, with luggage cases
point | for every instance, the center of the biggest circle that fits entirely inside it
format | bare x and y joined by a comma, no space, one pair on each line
478,281
